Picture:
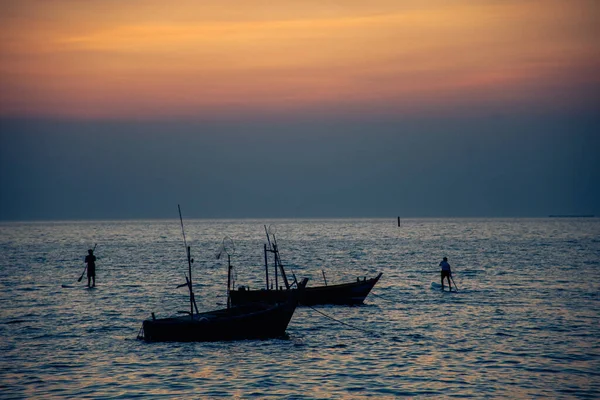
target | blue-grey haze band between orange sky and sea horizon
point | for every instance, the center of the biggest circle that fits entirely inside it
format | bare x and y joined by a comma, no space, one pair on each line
421,168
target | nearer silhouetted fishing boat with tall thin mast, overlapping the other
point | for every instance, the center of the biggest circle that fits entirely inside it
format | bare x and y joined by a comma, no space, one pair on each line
248,321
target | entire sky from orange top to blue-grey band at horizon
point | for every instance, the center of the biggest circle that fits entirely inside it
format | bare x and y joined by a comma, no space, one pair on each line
256,109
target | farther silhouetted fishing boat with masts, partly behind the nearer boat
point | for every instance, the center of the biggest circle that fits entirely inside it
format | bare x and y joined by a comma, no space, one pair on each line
351,293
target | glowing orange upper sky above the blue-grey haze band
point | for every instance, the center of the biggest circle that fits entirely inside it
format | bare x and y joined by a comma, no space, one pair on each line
195,59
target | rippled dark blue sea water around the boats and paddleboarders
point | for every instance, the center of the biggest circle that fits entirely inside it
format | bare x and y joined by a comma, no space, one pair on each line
524,323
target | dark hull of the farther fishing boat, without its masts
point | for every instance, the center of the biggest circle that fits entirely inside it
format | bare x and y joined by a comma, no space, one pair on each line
353,293
